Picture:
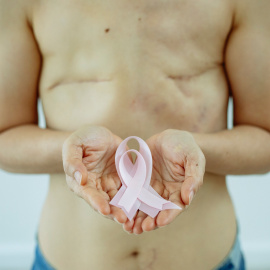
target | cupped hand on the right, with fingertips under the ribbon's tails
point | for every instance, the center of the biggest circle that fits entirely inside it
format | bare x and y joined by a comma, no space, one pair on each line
178,170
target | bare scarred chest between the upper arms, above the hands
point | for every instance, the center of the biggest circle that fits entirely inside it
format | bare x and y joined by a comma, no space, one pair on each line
133,65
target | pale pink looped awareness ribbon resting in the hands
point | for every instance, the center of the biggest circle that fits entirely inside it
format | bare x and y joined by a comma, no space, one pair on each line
136,192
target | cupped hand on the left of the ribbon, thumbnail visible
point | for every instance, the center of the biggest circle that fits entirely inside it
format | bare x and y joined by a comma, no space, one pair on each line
89,165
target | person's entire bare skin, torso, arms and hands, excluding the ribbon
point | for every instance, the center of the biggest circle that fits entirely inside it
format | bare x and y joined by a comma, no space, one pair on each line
165,75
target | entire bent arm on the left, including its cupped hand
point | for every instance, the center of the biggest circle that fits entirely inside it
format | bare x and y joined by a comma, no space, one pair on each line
26,148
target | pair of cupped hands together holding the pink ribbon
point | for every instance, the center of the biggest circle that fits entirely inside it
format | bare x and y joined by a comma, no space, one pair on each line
178,169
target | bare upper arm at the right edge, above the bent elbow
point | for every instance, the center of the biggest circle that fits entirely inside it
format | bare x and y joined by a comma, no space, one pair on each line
247,62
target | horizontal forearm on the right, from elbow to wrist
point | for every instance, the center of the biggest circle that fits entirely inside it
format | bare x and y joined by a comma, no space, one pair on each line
241,150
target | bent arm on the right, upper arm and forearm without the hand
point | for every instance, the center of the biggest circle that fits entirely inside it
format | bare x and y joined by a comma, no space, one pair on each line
246,148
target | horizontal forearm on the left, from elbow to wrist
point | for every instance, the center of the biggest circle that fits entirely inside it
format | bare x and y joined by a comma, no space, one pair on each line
30,149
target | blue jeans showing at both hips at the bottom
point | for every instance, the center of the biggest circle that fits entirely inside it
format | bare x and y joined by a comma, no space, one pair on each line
234,260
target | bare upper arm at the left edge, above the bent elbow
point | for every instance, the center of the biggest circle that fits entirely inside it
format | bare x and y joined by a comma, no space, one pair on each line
20,64
